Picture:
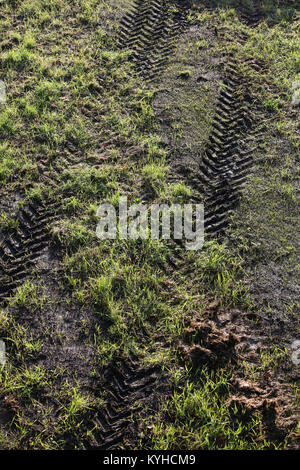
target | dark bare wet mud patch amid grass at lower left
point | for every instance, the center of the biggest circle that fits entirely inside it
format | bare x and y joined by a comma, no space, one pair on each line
64,328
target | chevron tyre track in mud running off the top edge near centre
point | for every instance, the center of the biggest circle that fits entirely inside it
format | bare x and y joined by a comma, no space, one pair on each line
150,31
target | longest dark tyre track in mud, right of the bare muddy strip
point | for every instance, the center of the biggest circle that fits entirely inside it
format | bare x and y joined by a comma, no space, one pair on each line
227,160
